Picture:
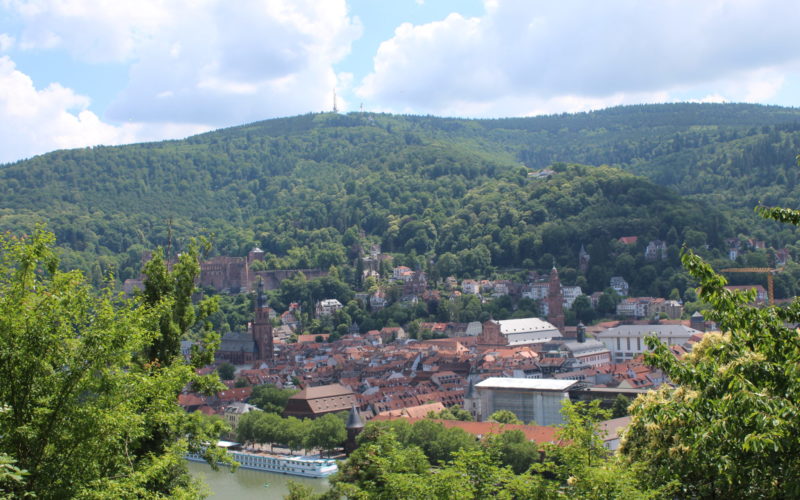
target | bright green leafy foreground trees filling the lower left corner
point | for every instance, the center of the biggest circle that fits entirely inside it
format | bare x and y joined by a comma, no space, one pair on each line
88,401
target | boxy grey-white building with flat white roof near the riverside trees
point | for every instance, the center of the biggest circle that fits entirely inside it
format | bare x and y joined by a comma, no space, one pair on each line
531,400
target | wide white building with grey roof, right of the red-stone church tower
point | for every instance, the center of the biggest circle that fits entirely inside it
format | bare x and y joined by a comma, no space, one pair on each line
627,341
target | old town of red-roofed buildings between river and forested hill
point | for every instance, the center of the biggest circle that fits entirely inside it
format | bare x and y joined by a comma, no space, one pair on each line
525,365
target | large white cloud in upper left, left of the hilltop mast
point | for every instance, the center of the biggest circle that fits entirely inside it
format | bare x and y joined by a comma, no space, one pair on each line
210,62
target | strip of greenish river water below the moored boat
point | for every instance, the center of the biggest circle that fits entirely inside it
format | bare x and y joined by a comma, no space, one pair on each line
245,484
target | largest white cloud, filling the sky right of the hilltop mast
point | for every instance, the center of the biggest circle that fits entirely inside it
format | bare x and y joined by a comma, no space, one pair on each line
561,56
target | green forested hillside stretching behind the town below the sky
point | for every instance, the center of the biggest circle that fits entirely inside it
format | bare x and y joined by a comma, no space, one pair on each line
310,189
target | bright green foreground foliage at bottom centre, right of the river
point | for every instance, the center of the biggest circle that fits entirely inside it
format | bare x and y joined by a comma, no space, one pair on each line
397,460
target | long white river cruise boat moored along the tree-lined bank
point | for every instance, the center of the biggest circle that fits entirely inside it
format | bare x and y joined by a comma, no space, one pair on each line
297,465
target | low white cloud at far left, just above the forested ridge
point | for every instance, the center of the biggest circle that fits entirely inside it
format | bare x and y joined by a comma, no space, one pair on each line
34,121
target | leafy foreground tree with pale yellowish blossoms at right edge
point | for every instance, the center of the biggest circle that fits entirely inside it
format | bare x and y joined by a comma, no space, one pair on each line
729,429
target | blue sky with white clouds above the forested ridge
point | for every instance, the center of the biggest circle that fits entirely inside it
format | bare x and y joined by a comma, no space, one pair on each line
78,73
